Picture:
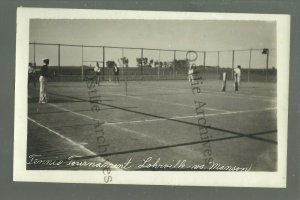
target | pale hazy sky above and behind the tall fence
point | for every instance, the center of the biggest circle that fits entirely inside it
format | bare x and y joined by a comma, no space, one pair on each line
199,35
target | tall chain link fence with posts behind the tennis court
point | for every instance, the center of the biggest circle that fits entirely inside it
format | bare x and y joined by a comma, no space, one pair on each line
68,62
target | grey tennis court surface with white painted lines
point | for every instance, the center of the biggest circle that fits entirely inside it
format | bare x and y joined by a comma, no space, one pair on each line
155,119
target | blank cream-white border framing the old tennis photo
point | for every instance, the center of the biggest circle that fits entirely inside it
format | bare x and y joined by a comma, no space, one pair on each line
236,179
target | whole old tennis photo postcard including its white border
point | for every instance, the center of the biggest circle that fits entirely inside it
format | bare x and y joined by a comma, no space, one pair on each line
159,98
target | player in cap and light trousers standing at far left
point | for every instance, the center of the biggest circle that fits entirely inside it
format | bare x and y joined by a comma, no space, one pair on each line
43,81
